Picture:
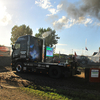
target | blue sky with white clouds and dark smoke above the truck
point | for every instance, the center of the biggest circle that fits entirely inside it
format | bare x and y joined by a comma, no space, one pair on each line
77,22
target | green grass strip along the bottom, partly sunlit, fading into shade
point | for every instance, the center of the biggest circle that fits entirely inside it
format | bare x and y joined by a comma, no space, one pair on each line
48,93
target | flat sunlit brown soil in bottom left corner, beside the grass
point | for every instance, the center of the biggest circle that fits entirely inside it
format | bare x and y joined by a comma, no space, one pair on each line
15,94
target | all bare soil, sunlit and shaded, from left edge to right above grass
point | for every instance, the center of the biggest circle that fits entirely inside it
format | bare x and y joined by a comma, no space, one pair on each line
9,80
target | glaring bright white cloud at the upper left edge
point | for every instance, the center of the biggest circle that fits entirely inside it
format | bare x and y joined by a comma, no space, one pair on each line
5,17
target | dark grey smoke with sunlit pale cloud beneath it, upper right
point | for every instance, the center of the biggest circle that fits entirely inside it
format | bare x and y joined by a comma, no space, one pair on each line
81,12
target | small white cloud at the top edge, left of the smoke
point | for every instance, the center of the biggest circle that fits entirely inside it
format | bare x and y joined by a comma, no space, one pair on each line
45,4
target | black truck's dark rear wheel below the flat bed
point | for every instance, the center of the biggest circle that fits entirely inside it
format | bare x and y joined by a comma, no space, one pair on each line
55,72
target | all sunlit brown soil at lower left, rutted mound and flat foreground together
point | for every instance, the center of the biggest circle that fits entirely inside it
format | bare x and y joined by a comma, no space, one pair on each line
9,86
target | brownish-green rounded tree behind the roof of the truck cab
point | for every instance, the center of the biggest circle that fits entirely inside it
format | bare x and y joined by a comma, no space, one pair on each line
19,31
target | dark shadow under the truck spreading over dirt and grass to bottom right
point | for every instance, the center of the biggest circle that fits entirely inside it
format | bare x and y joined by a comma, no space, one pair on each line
74,87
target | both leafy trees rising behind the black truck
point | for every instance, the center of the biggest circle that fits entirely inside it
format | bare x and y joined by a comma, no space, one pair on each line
18,31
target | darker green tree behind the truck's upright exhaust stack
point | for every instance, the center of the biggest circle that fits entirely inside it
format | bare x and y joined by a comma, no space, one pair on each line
52,39
